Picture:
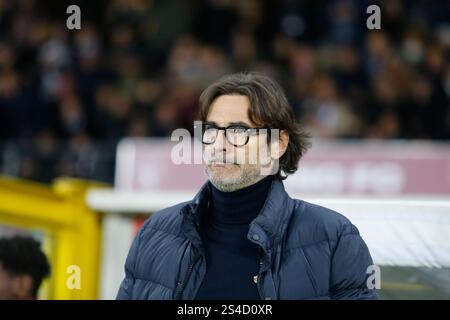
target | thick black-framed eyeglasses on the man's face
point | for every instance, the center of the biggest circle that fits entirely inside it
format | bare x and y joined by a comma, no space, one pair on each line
237,135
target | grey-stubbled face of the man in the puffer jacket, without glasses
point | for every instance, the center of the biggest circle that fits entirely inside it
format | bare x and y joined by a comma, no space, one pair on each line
228,167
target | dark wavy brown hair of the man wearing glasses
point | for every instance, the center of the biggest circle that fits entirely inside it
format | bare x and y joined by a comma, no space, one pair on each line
269,107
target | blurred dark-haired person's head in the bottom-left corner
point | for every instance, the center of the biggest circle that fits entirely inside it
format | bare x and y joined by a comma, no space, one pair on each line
23,266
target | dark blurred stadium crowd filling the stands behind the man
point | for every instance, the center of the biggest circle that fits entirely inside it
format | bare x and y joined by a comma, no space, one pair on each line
136,69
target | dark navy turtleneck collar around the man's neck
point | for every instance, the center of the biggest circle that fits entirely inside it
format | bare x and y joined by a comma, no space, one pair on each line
239,207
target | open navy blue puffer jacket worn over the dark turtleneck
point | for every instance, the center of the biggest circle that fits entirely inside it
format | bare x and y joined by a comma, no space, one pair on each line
307,252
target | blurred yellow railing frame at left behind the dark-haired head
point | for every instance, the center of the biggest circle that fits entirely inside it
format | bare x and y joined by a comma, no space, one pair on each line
59,210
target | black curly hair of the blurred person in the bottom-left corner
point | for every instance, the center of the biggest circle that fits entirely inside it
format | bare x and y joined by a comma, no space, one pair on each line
22,255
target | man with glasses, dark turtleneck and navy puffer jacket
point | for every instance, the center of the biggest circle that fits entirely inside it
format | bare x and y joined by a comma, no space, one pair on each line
242,236
